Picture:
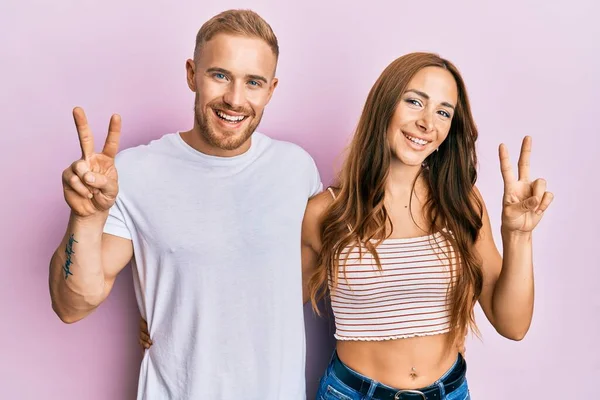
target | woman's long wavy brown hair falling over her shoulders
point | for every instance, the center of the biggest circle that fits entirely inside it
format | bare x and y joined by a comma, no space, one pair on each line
451,208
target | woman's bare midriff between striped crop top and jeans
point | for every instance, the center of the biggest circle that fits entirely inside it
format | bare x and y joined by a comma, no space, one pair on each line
410,363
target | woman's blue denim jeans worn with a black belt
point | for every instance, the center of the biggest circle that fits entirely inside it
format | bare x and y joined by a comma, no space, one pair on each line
331,387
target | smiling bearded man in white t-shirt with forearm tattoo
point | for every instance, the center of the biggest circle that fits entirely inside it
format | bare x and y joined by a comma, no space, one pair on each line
211,220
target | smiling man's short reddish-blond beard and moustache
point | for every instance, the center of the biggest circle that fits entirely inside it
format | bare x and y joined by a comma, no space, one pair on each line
228,140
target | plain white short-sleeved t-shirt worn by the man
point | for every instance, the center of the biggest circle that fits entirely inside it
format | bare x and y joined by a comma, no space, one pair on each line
217,267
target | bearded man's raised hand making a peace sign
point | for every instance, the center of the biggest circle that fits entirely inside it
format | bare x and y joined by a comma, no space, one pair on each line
90,184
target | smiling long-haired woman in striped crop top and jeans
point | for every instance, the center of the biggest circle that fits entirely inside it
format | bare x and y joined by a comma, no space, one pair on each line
403,244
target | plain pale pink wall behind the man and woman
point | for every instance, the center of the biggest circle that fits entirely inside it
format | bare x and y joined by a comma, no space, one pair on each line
531,68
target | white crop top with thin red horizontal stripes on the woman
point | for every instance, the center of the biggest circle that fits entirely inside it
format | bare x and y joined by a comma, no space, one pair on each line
406,298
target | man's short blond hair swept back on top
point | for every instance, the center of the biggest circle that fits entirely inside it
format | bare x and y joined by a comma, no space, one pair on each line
237,22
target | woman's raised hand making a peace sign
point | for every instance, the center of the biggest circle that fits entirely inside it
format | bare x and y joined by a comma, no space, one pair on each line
524,202
